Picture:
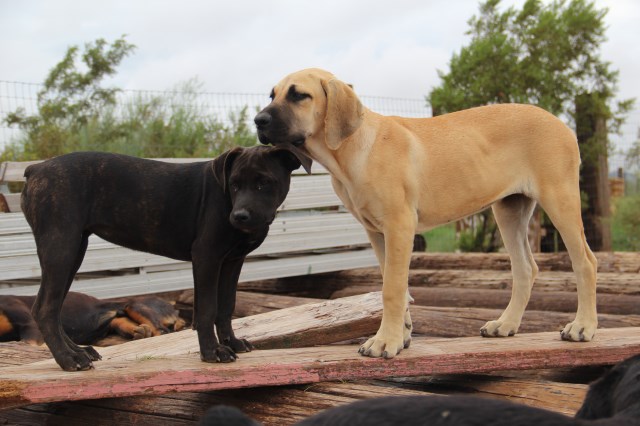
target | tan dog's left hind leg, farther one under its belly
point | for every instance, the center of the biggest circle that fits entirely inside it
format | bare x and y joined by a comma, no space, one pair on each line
512,216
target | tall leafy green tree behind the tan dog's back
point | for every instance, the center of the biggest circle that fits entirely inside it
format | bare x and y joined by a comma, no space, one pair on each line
543,54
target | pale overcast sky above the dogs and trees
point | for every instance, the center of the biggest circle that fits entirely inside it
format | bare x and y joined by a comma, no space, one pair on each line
385,48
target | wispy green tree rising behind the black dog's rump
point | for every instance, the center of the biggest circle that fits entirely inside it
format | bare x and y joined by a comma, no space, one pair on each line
70,98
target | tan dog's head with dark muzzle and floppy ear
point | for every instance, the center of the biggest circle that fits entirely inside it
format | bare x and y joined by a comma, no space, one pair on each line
308,106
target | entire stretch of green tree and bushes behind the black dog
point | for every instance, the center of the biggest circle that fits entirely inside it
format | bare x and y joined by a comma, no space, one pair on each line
76,113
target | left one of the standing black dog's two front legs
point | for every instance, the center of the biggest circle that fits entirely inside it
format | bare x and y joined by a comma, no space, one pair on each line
206,277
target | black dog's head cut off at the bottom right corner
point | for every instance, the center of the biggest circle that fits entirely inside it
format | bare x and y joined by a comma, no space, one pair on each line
618,390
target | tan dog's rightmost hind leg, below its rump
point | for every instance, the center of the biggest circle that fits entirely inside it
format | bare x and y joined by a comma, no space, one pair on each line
563,208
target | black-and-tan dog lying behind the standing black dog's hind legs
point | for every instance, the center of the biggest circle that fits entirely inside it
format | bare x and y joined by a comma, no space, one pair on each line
86,319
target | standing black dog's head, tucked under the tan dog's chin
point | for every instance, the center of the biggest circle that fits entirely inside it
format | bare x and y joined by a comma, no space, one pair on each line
257,180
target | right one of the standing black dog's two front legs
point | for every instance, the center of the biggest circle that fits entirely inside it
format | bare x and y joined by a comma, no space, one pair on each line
227,286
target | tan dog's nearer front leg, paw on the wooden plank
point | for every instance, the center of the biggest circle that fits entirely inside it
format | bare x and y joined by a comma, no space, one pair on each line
394,334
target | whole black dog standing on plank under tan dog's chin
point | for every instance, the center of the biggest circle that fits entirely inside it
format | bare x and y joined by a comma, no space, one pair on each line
210,213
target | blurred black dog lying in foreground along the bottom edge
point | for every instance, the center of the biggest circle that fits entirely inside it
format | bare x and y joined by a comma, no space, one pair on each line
612,400
